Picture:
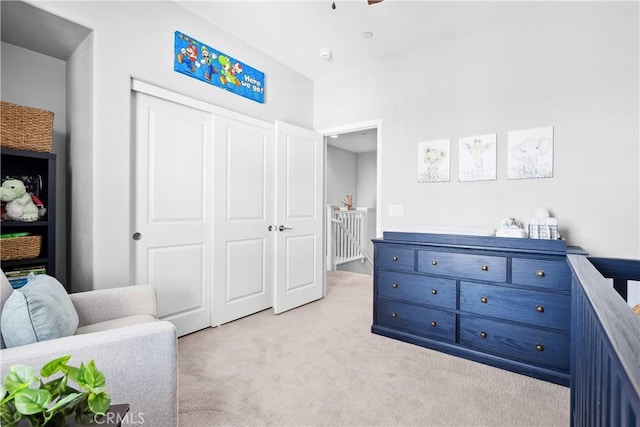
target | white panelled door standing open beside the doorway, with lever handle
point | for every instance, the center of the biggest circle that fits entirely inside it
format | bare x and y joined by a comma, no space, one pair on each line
300,209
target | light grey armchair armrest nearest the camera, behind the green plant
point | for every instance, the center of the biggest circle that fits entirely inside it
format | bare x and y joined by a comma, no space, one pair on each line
139,363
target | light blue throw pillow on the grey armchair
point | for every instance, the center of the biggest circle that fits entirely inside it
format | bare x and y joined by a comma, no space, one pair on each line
41,310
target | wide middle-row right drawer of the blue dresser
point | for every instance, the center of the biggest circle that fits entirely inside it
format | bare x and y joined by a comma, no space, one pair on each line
537,308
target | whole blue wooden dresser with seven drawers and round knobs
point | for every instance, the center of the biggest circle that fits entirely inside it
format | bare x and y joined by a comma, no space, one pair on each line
505,302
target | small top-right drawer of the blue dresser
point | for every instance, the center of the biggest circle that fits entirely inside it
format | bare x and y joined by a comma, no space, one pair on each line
542,273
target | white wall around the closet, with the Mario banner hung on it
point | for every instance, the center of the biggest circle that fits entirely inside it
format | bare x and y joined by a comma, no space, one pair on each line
136,39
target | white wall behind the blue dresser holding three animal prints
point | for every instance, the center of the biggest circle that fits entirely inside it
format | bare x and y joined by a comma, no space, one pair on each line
572,65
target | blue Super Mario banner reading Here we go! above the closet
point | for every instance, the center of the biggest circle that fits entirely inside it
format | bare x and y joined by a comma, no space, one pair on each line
202,62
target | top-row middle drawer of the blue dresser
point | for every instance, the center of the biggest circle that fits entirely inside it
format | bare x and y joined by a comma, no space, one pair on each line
478,267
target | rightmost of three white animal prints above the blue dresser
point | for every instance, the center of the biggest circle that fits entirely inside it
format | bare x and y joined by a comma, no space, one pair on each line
530,153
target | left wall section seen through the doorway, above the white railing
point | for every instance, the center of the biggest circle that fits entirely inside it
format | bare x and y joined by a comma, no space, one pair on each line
341,176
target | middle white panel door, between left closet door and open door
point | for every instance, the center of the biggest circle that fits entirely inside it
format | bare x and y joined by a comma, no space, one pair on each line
244,159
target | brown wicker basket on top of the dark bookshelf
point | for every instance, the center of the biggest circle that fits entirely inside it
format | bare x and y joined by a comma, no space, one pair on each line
25,128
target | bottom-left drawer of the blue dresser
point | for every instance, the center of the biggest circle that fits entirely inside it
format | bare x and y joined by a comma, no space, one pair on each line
421,321
